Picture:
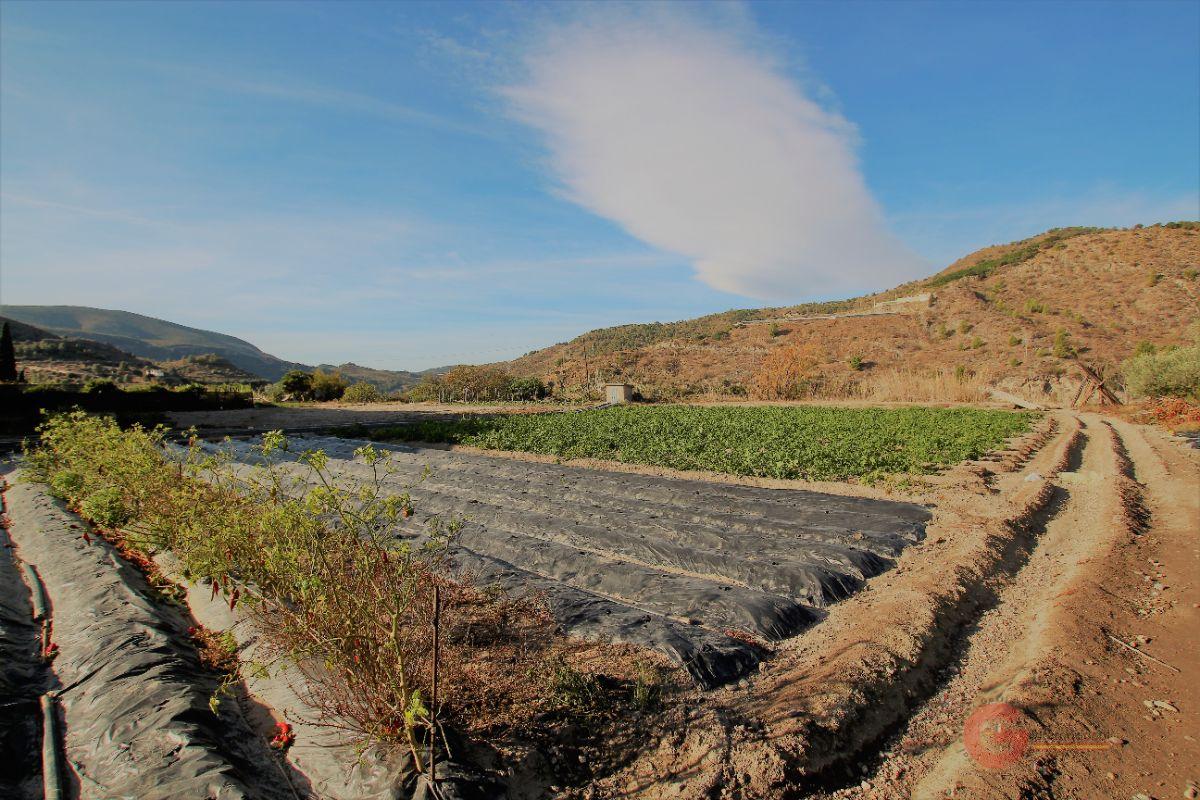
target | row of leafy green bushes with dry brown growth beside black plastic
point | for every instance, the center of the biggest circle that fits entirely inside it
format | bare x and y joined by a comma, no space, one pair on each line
320,563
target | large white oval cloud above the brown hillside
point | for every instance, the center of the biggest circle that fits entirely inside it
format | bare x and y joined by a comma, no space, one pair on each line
693,140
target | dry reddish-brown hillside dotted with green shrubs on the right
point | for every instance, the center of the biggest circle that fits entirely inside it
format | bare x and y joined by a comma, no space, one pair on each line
993,317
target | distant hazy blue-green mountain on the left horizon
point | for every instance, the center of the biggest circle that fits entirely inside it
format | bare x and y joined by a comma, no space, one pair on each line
189,351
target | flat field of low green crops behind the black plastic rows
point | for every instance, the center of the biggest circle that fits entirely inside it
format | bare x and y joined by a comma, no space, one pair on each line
812,443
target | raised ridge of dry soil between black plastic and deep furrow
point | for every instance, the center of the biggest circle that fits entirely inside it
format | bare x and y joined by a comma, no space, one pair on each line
830,696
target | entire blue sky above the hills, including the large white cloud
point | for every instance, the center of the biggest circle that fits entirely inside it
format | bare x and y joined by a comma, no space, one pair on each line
410,185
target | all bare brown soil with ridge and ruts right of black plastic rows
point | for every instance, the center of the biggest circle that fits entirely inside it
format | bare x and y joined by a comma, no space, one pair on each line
1066,588
